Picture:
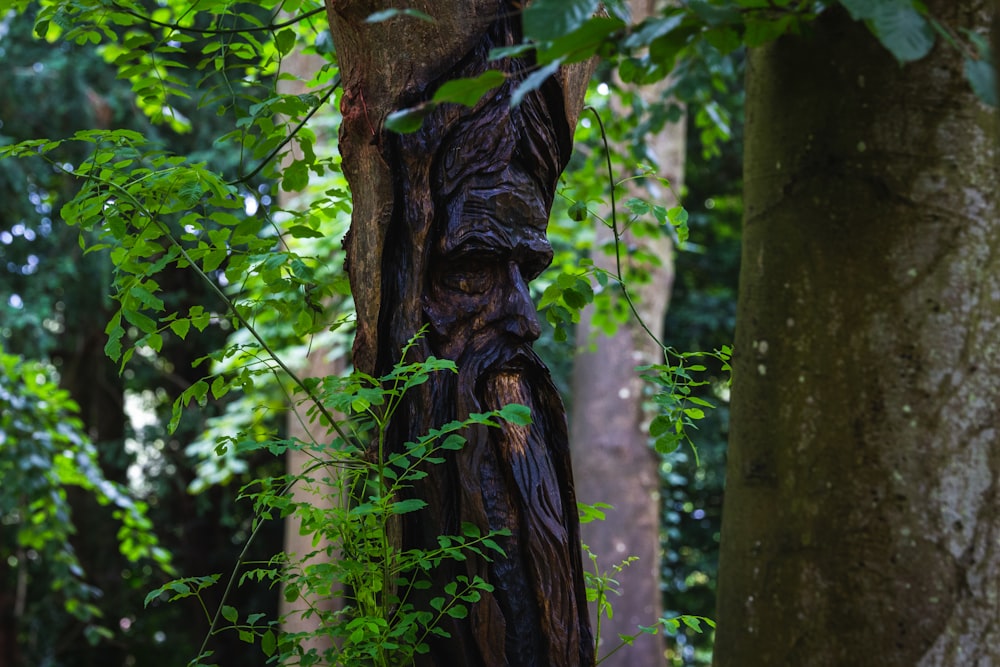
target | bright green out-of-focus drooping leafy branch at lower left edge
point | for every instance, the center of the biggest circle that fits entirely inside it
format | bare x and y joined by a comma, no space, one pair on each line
44,453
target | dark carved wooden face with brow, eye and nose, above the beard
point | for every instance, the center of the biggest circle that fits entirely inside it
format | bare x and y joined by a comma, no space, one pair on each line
492,245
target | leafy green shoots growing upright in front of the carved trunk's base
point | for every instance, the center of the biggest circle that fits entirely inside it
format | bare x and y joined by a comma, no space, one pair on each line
387,617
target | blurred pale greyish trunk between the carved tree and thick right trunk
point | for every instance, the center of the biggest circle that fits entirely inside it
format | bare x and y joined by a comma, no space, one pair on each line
613,461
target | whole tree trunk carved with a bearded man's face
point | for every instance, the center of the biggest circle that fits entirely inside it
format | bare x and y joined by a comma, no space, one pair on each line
448,228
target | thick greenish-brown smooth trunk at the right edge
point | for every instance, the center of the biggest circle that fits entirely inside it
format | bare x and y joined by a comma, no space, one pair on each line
860,523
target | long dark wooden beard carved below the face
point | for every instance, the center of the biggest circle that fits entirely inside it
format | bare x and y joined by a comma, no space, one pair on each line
514,477
